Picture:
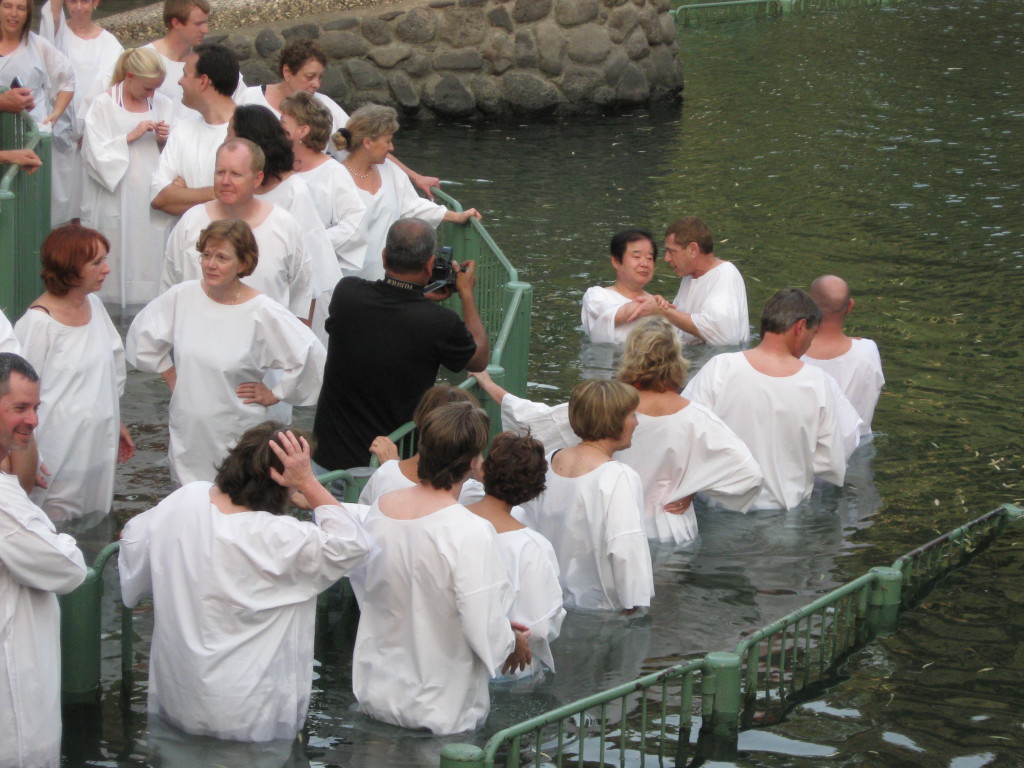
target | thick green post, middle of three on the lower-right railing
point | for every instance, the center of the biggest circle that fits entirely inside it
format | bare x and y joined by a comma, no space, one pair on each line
720,698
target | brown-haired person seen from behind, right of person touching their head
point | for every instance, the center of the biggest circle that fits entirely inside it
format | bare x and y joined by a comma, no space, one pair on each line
428,647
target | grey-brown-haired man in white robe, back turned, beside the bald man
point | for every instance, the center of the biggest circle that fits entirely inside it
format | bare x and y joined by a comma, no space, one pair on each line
786,411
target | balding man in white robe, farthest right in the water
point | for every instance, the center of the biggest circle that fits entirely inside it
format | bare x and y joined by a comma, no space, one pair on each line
854,362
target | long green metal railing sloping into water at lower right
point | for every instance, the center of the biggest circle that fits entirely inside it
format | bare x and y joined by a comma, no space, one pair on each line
753,685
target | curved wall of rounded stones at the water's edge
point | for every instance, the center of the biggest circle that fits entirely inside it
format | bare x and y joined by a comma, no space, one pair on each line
483,59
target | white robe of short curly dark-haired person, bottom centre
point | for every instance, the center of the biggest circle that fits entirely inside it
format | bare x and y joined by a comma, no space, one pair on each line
533,570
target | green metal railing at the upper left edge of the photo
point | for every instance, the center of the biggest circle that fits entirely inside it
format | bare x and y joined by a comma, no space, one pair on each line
25,216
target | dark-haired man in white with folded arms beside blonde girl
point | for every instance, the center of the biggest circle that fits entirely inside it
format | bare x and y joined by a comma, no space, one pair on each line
187,164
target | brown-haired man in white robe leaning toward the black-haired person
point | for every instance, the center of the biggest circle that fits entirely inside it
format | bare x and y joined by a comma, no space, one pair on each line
711,305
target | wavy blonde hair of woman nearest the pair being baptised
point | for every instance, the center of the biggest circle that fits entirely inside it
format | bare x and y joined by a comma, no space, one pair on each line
654,359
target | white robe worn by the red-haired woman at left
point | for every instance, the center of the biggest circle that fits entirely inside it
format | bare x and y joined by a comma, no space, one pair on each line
82,377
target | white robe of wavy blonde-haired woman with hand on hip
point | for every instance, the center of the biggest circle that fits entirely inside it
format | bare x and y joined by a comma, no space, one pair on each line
686,453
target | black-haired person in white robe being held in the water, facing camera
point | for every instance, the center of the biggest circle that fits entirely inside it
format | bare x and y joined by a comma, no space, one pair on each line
609,314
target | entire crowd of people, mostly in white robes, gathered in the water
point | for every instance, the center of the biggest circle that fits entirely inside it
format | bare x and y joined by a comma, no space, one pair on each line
463,567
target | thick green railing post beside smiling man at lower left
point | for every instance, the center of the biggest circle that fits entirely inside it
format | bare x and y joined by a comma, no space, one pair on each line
80,613
